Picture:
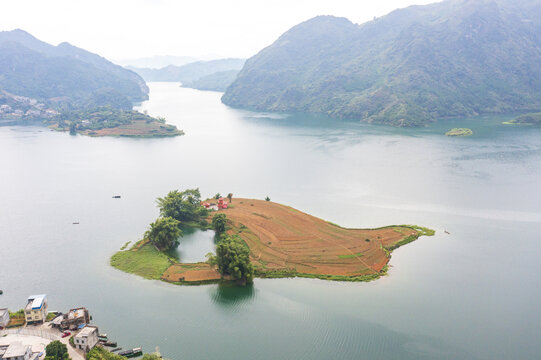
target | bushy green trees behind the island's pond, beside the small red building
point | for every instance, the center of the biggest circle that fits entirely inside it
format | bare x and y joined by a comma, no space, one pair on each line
182,205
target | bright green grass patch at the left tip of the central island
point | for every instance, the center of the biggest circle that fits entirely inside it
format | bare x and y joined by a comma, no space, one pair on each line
146,262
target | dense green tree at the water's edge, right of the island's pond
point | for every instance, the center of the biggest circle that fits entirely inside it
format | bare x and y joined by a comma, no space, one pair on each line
233,259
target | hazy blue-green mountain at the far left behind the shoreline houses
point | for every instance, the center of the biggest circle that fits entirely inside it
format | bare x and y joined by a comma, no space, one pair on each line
64,74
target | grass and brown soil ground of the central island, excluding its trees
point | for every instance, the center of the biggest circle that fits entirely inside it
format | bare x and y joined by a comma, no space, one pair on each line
281,242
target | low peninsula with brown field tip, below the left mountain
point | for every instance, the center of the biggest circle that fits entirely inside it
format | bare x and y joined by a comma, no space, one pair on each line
108,121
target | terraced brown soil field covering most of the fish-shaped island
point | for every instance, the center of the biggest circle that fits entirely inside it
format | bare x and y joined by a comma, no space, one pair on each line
285,242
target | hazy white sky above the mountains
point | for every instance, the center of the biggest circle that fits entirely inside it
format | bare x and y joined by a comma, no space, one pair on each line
119,29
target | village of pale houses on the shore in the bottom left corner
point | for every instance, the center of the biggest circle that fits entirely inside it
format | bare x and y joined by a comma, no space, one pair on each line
24,334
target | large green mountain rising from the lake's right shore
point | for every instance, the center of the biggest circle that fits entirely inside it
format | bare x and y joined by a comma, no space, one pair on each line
408,68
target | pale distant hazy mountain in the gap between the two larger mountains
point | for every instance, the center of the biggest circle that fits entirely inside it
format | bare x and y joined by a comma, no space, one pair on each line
189,72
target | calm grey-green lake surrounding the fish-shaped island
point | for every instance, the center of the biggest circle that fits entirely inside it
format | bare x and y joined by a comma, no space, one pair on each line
470,294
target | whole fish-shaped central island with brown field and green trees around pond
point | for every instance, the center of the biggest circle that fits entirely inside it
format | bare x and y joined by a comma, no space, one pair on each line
260,238
